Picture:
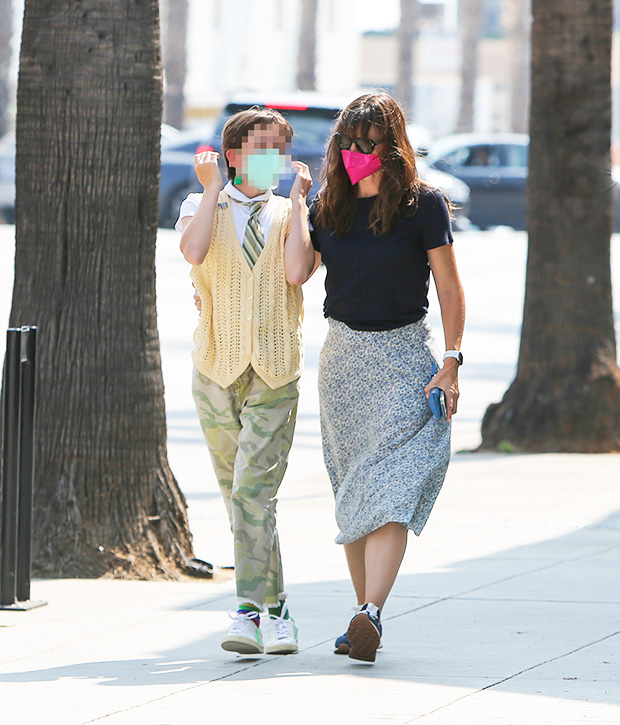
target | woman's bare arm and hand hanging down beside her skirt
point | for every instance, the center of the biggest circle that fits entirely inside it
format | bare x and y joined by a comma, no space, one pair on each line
452,303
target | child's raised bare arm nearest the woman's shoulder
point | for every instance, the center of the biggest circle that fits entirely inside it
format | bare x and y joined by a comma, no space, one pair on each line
299,254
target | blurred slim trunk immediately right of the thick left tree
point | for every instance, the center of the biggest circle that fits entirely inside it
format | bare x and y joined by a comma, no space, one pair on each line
174,37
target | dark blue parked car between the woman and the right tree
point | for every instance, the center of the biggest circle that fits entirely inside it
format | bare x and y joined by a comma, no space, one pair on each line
494,167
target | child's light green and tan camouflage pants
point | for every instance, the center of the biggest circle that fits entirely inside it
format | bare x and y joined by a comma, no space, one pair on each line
249,428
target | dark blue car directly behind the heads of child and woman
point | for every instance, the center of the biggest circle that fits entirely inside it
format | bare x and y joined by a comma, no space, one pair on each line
312,116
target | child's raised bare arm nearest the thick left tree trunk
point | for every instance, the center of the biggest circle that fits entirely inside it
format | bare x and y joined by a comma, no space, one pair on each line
196,236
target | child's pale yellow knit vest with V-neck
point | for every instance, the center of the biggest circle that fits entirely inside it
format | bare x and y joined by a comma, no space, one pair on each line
249,316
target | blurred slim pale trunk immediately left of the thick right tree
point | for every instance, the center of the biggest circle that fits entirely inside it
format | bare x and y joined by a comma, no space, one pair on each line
518,20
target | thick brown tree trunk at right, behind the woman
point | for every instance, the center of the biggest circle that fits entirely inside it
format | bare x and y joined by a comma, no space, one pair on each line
566,394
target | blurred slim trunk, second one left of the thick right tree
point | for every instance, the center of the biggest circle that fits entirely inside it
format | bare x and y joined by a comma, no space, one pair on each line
470,22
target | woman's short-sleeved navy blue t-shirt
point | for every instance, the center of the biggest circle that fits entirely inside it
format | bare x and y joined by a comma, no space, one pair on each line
381,282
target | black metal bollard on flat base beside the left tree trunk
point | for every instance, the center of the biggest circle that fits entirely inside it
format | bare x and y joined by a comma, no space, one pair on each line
18,470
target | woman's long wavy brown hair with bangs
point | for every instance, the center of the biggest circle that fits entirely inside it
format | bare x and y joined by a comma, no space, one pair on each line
400,186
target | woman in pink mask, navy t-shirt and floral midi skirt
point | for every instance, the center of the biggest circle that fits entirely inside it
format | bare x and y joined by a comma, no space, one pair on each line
380,231
